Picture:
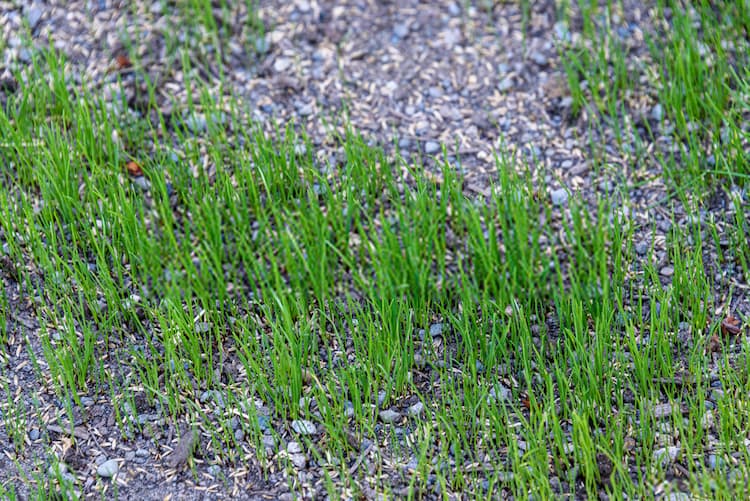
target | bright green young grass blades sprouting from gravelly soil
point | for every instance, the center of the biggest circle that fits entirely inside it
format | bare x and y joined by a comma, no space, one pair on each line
251,276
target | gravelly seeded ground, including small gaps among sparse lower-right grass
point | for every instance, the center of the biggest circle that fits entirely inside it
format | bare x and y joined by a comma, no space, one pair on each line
412,77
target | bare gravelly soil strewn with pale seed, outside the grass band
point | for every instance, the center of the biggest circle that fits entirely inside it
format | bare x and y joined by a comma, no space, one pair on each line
408,75
